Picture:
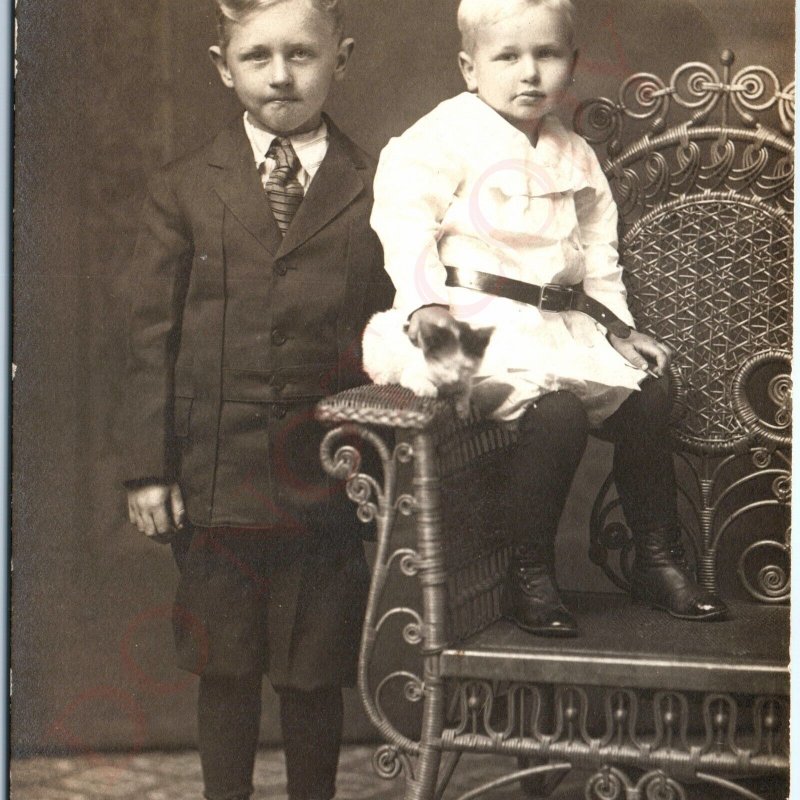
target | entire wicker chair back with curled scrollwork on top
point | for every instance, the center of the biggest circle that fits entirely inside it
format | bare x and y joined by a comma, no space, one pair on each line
706,239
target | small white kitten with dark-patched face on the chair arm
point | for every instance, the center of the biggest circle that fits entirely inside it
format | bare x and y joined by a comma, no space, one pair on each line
441,364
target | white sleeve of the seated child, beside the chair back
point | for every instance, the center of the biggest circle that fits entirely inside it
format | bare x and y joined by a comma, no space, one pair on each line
598,219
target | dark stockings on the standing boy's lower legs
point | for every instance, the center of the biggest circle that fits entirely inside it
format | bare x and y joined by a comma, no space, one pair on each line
229,712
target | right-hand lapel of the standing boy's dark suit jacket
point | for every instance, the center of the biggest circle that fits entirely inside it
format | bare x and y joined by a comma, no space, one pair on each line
337,183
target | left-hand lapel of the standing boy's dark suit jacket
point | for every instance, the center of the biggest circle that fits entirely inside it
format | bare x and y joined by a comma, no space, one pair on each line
238,185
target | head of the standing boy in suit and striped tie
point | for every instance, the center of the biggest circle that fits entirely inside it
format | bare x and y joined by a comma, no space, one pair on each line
281,61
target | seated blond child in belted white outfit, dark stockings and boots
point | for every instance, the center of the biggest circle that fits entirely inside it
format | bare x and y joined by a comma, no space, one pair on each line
491,212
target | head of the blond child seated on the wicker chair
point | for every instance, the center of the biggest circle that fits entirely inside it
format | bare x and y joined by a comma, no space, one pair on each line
521,64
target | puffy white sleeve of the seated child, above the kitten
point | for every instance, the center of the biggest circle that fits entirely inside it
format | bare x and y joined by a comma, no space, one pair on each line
417,178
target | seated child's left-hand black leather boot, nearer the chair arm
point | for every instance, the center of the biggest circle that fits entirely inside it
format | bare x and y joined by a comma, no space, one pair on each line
530,596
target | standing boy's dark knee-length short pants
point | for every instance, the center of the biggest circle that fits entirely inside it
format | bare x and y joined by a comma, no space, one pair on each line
252,601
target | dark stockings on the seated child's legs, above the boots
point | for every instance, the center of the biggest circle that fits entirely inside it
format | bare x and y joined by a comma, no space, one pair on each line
552,438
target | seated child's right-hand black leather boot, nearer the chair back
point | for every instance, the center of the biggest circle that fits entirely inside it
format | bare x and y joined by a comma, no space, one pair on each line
661,578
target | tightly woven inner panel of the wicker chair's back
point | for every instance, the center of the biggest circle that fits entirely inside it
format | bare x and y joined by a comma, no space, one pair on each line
710,275
